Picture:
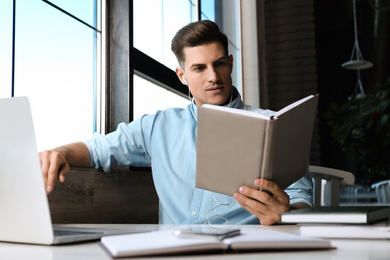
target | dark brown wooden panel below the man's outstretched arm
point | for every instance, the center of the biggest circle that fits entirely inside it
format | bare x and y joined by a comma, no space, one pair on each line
93,196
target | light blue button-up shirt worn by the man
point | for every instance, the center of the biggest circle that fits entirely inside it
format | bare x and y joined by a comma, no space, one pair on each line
166,141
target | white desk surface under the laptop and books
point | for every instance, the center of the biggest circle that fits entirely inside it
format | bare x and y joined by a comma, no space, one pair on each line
346,249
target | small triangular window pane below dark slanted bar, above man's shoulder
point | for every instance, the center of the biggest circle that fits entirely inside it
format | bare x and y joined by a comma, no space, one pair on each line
149,97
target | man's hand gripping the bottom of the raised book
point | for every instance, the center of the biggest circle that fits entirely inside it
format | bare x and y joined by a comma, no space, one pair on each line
264,205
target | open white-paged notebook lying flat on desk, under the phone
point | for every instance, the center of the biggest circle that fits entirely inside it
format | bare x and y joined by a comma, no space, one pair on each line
164,242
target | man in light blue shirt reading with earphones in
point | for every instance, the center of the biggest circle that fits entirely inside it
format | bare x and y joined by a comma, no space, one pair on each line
166,141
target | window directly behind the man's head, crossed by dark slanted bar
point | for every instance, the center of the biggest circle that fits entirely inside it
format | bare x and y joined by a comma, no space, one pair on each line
155,24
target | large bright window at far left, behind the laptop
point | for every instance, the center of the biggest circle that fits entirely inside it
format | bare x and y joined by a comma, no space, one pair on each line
56,65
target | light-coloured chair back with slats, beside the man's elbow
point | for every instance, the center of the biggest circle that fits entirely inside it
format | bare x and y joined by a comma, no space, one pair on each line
329,194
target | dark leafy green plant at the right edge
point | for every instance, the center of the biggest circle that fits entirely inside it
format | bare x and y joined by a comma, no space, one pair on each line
361,127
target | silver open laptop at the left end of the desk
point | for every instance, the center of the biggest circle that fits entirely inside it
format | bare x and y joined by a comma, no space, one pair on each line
24,209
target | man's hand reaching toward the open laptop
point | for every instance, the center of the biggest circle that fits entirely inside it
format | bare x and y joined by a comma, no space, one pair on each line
53,164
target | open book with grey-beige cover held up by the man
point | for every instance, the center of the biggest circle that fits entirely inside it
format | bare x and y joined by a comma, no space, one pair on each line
235,147
